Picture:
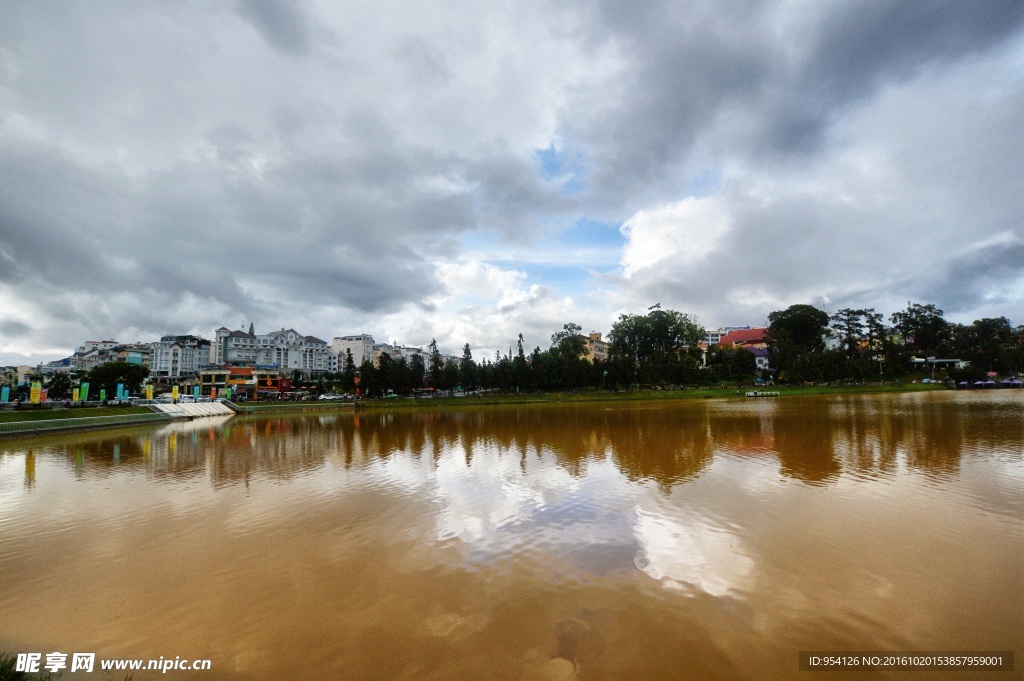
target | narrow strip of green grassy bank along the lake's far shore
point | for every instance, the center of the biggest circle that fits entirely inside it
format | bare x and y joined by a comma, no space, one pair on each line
88,415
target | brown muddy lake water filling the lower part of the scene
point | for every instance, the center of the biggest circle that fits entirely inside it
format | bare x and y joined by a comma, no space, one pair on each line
690,540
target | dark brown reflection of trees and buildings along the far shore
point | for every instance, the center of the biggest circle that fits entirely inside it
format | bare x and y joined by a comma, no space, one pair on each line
815,439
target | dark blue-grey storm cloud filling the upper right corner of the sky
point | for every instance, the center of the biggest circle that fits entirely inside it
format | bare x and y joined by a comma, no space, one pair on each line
693,70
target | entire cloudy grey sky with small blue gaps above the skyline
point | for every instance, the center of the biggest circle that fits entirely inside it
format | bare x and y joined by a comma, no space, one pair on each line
470,172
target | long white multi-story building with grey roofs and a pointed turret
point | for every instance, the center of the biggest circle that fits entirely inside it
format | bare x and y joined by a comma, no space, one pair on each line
286,351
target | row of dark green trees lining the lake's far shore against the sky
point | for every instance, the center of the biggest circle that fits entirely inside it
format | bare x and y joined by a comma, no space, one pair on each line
663,348
